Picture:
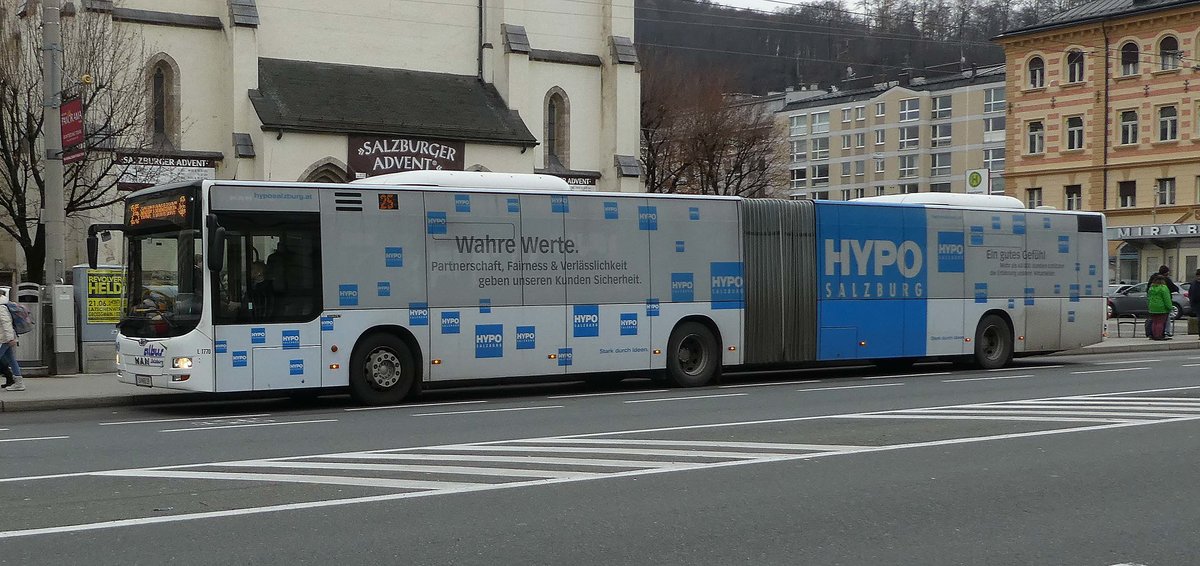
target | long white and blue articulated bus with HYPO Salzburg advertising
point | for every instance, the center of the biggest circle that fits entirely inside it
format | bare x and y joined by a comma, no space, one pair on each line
391,284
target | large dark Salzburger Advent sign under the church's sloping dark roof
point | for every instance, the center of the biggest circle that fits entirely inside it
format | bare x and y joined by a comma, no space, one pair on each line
374,155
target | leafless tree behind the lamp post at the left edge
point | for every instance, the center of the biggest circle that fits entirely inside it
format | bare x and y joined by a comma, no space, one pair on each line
115,107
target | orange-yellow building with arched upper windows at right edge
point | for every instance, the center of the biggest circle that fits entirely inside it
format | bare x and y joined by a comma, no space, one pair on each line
1103,103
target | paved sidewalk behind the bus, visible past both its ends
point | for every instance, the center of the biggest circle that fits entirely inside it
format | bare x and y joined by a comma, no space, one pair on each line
104,390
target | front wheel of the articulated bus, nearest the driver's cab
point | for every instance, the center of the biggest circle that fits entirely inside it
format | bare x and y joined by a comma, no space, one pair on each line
382,371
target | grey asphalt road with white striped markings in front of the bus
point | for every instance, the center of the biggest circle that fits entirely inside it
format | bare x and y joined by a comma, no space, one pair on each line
1059,461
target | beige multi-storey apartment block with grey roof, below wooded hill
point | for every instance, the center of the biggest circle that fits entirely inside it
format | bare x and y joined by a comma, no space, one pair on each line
892,139
